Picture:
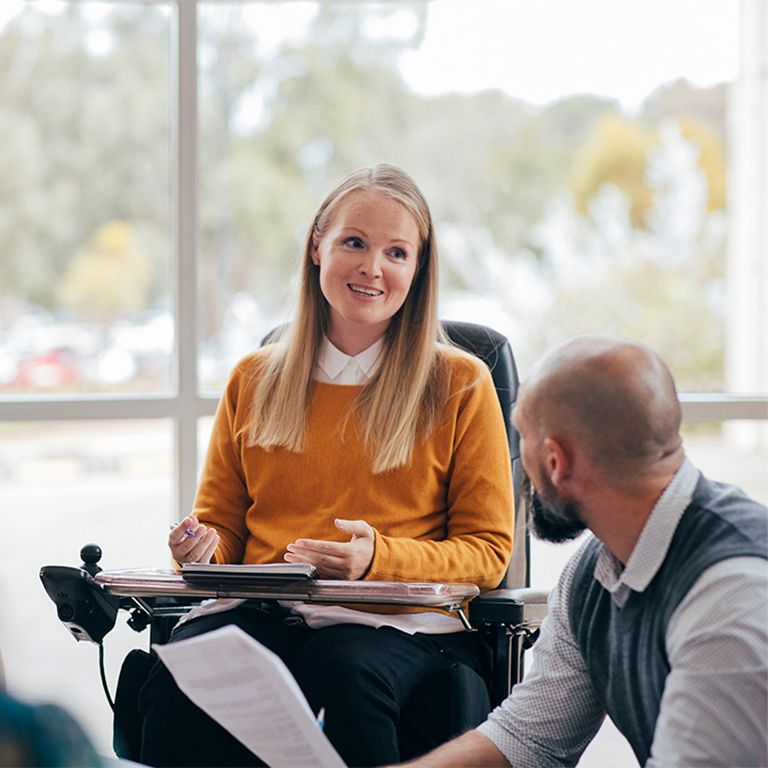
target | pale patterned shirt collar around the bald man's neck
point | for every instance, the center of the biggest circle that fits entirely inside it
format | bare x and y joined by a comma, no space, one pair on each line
652,545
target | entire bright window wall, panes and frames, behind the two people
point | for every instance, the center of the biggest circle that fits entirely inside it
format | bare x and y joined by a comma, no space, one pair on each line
591,166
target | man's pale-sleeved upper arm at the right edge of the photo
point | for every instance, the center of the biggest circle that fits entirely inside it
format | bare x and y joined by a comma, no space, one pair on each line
714,710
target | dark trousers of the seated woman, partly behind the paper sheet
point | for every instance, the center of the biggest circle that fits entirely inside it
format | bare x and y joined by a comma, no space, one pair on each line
362,676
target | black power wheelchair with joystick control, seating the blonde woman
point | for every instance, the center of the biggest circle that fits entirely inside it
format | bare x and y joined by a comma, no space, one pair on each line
456,698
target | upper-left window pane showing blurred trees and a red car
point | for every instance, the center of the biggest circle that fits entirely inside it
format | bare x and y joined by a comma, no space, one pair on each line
86,199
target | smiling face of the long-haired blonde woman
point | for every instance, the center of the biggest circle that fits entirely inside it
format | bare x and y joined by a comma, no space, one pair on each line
367,259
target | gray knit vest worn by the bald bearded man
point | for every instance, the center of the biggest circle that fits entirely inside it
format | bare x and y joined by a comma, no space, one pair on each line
624,647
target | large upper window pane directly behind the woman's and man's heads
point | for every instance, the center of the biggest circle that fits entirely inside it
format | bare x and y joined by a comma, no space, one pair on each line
570,194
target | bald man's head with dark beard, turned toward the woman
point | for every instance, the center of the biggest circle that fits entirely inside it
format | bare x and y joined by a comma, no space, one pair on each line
595,412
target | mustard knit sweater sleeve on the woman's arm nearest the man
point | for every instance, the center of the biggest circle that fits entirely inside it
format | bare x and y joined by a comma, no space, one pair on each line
477,540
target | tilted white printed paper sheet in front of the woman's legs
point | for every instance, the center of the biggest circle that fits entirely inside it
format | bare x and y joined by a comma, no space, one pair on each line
250,692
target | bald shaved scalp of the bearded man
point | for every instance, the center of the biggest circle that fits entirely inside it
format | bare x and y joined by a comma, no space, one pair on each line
614,399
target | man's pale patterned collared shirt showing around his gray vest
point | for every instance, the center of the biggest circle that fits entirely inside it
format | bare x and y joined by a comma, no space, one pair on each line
716,644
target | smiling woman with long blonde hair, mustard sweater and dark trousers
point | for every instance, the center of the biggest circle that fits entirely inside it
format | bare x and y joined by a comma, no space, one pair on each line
363,443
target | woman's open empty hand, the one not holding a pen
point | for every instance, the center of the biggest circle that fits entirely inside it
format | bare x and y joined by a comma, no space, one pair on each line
340,560
